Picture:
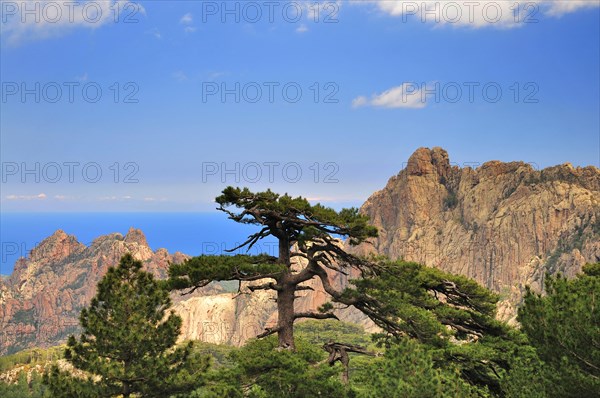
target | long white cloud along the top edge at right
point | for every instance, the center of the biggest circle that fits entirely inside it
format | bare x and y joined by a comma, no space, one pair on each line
483,13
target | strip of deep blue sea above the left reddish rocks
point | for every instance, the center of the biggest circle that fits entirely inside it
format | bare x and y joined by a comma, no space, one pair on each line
189,233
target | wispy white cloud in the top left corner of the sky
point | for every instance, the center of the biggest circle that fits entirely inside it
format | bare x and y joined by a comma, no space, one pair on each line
30,20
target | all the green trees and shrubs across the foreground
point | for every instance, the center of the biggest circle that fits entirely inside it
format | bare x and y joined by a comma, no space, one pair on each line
438,333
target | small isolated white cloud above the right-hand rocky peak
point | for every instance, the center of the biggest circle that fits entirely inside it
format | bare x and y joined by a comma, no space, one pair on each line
406,95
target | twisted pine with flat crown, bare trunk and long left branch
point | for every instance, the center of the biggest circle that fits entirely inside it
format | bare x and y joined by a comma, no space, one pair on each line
302,230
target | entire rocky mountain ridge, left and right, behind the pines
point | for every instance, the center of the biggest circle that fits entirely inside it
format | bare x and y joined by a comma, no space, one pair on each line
502,224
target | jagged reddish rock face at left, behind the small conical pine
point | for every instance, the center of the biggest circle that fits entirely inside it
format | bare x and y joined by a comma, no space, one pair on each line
40,302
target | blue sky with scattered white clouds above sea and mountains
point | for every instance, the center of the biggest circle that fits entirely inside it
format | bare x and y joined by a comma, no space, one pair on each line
376,66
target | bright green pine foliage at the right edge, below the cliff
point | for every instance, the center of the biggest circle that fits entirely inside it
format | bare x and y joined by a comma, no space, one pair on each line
564,327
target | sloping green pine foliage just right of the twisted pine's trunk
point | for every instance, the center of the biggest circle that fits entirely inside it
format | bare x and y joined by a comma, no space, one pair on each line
451,315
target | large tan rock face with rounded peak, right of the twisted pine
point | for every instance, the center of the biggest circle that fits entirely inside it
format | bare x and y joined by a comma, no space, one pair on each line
503,224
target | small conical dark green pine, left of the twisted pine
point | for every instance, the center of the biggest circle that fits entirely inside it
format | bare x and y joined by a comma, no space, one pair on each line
127,343
